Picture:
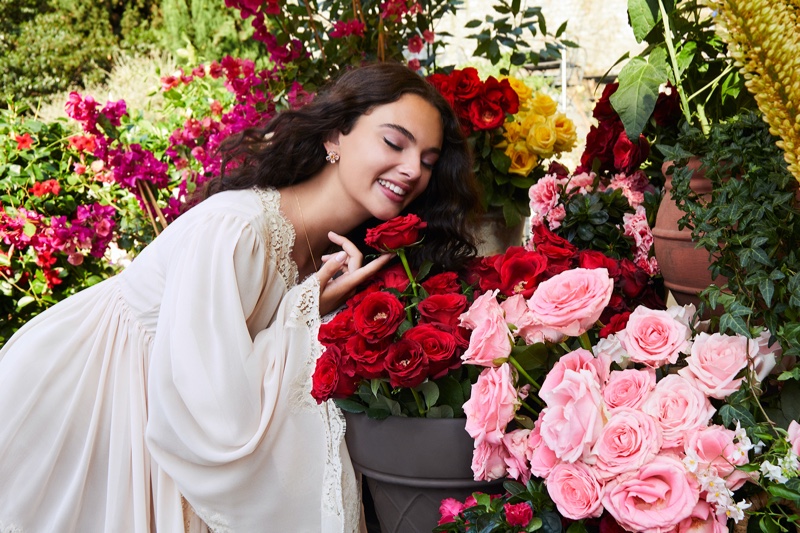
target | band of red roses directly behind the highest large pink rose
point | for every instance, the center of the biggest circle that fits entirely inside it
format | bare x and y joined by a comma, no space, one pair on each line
520,270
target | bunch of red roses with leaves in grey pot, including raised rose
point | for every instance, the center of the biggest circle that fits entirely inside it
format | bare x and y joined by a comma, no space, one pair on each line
394,339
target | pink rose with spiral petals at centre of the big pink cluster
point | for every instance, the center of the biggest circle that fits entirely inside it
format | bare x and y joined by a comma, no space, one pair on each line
630,439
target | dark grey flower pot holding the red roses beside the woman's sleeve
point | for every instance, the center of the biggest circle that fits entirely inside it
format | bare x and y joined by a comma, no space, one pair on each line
411,465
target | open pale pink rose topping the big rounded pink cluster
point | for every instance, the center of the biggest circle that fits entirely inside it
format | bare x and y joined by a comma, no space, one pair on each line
653,337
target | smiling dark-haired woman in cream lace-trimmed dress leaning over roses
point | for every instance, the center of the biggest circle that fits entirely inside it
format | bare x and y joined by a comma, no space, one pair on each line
175,396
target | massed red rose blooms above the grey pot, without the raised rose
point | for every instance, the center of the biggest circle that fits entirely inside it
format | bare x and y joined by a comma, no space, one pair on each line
372,338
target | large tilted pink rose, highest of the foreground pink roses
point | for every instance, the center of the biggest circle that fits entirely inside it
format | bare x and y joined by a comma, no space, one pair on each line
571,302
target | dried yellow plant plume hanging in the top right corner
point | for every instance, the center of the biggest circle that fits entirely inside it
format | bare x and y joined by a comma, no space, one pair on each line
763,38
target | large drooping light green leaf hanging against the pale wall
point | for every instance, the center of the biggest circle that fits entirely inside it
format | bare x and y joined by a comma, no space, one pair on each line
639,81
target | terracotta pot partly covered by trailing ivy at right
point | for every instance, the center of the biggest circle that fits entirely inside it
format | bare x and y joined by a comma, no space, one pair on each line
685,268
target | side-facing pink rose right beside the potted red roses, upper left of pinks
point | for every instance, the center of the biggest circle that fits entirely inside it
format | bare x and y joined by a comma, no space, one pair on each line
491,340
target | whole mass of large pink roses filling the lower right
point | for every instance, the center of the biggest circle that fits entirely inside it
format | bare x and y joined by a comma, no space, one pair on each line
620,436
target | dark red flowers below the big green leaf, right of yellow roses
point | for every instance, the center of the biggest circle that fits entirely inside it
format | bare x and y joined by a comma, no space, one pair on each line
609,144
